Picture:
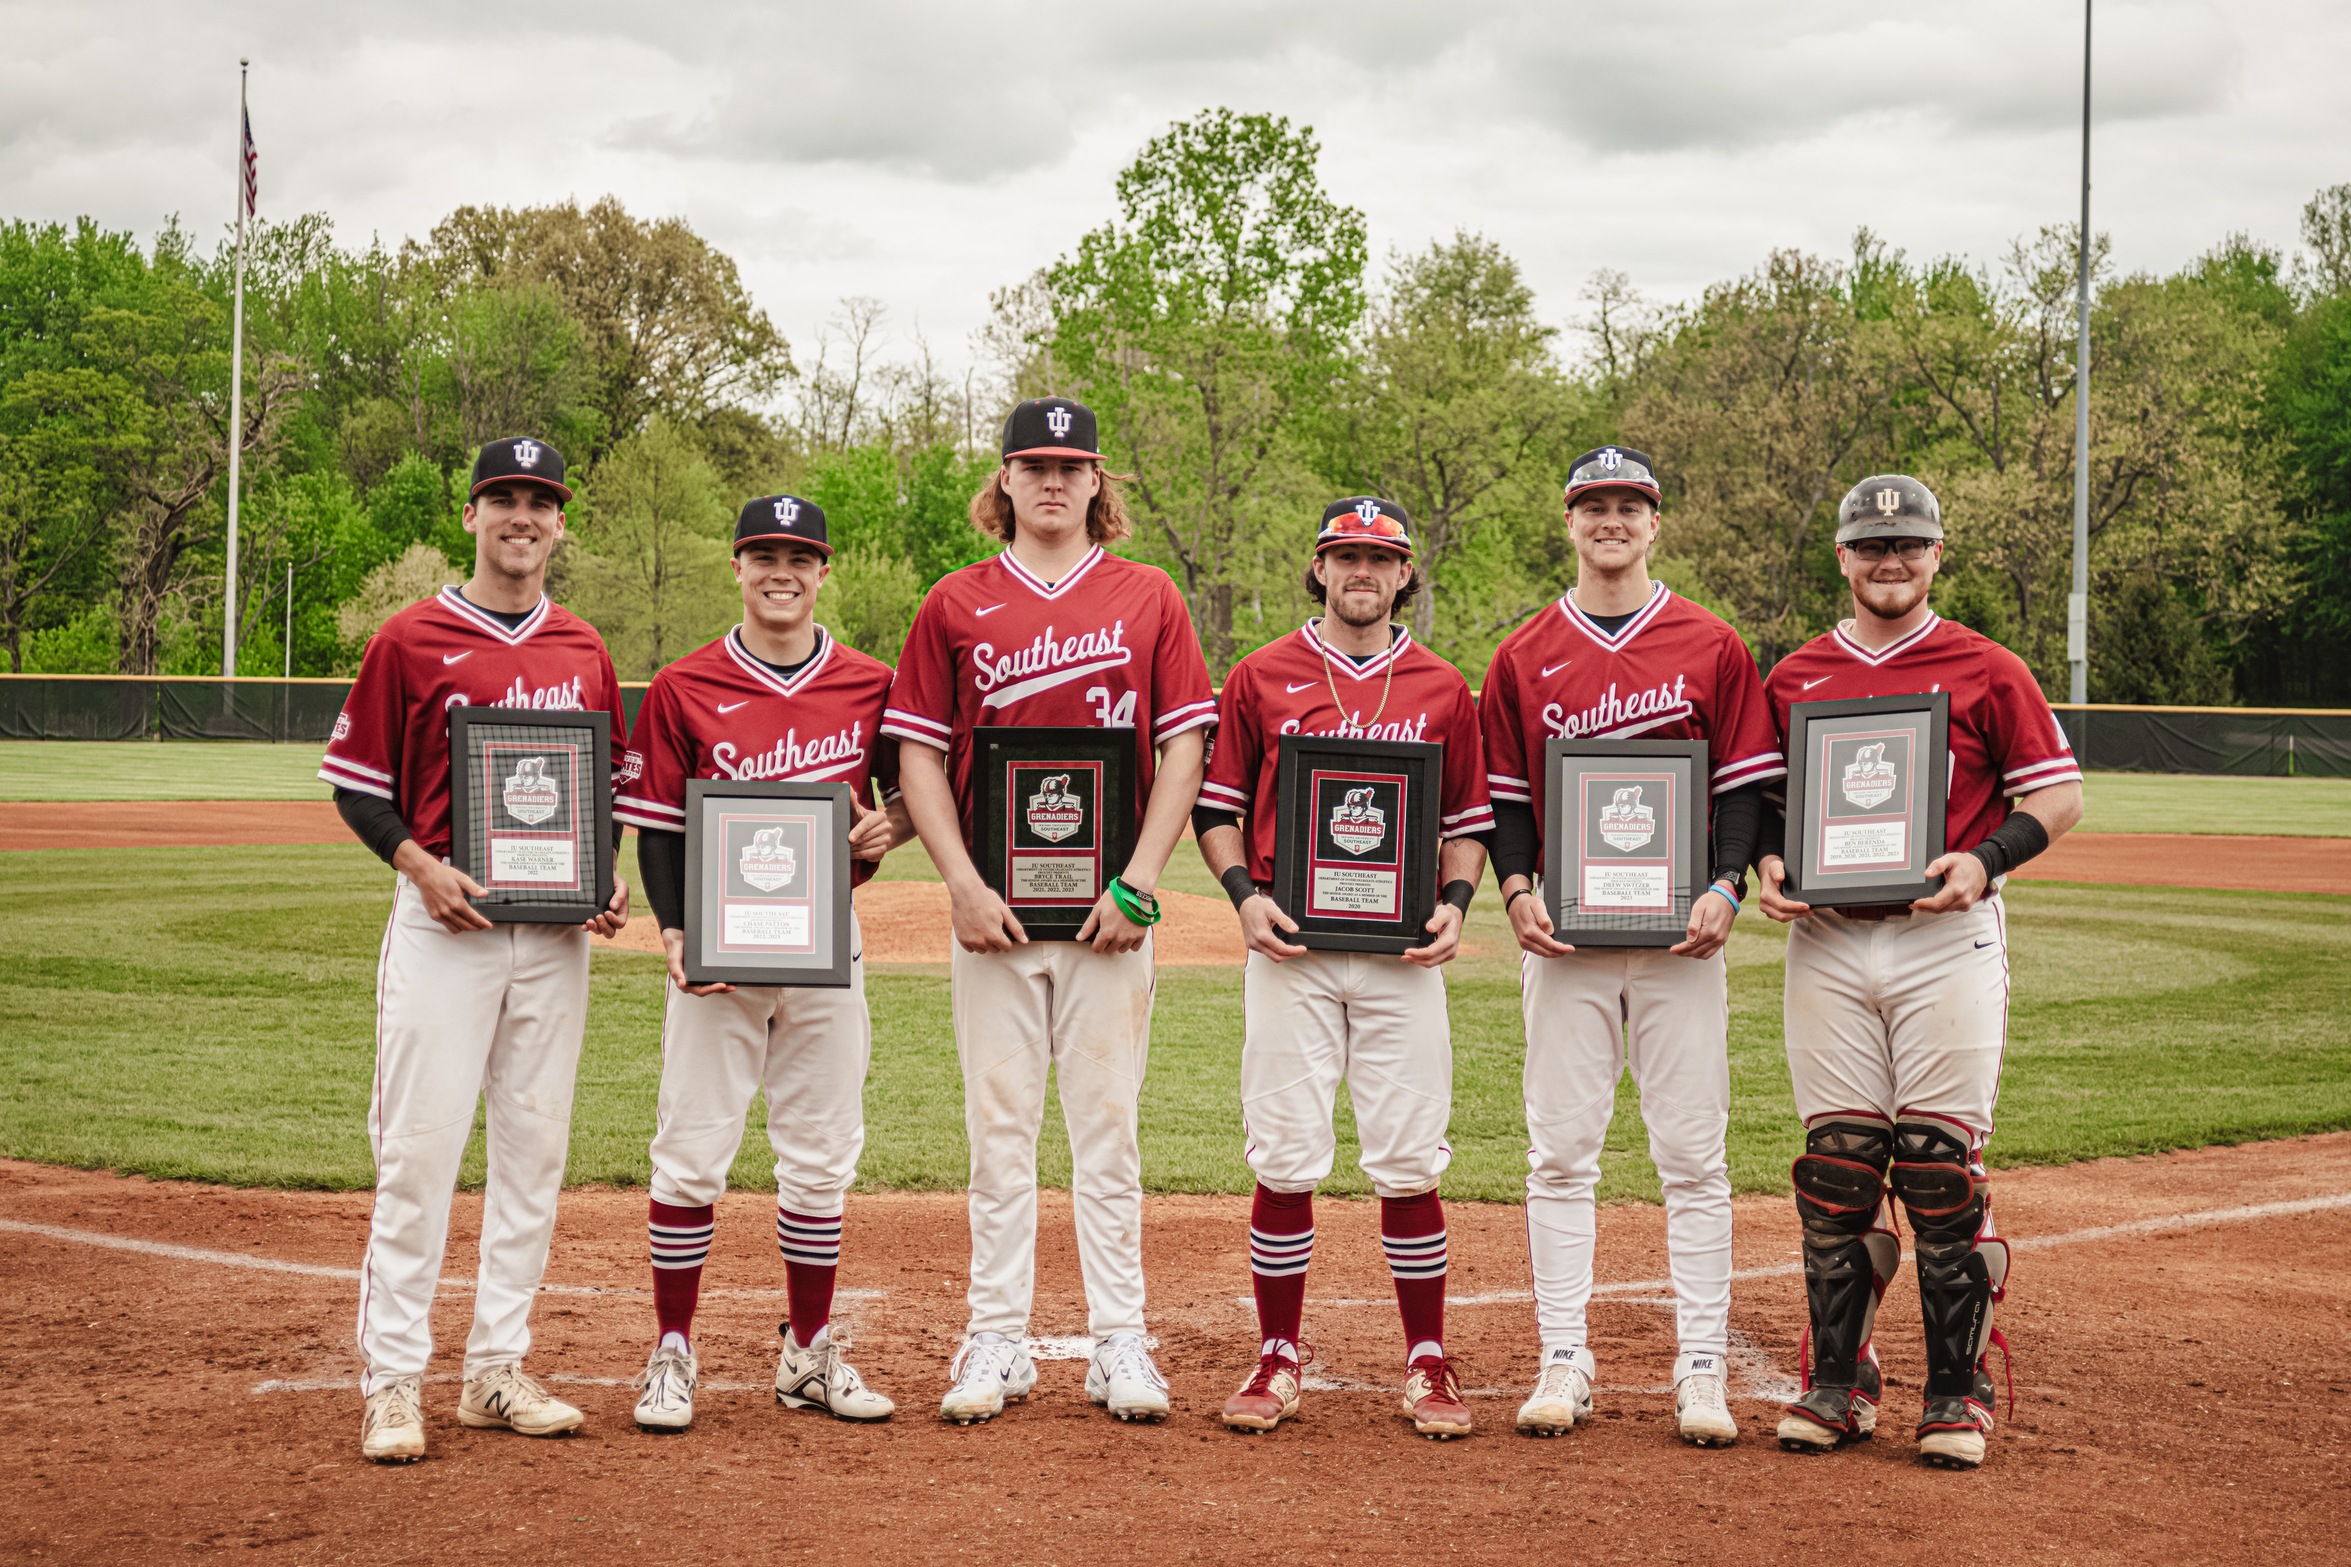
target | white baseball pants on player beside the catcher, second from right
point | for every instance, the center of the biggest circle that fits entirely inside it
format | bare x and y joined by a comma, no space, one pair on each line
1588,1021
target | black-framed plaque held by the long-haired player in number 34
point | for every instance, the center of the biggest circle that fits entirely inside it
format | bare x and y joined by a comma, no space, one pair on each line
1057,821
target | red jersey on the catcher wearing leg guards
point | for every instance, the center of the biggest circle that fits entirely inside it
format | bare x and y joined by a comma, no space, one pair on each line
2004,737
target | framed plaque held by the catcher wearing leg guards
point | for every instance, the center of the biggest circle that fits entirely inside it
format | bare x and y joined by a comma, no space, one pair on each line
1866,798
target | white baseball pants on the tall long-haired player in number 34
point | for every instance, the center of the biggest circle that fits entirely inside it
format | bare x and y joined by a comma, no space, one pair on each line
1085,1016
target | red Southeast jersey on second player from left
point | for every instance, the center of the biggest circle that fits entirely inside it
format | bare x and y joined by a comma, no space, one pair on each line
721,713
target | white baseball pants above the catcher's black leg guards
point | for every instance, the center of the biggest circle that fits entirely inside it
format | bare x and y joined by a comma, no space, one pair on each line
1898,1016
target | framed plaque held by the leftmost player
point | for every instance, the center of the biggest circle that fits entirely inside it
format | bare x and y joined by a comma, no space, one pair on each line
530,812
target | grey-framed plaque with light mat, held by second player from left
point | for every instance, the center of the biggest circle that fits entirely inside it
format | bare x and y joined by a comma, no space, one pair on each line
768,882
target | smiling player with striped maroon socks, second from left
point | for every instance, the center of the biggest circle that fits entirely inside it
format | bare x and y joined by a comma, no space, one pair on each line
772,699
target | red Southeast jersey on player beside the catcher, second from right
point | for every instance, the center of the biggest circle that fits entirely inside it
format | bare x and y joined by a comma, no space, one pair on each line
1670,673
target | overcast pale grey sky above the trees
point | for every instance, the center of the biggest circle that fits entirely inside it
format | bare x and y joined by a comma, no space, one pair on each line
927,152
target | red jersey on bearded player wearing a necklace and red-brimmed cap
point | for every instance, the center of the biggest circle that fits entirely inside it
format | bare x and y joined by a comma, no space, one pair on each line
1287,690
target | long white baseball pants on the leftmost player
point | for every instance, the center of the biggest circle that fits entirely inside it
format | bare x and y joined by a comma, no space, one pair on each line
460,1018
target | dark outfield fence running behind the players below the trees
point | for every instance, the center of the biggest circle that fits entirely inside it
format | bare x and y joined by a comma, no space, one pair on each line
2246,741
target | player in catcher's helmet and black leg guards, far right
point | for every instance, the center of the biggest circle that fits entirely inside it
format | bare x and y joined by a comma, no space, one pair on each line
1898,1014
